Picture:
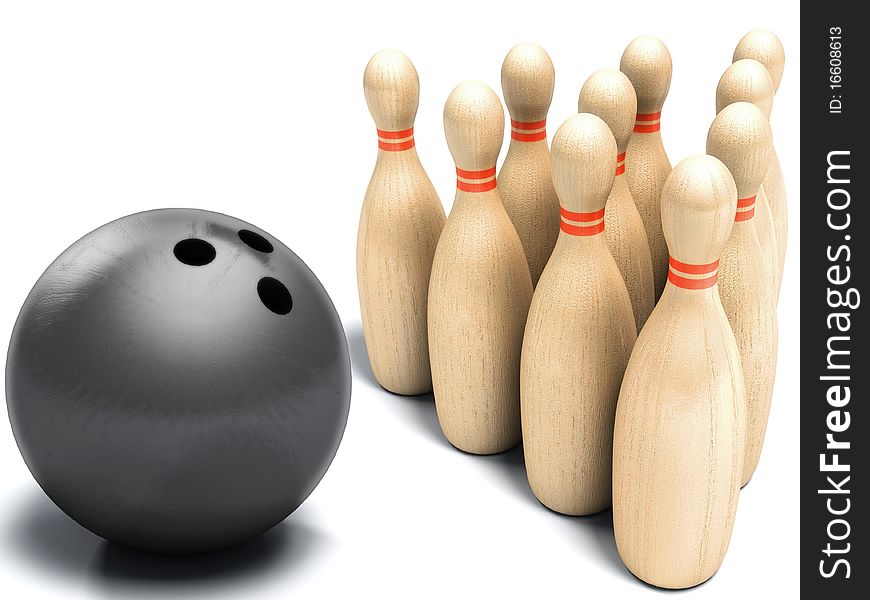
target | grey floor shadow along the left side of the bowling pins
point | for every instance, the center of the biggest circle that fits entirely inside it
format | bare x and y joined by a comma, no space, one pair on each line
596,531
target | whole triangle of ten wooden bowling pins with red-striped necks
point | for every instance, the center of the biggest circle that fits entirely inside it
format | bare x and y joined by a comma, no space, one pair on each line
615,315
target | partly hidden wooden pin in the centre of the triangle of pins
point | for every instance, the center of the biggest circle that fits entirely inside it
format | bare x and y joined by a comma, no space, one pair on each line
609,94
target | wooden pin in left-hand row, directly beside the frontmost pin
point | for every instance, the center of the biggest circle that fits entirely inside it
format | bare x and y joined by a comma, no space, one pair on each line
579,334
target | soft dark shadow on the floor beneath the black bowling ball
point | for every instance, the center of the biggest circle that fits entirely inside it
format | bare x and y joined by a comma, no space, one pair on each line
43,535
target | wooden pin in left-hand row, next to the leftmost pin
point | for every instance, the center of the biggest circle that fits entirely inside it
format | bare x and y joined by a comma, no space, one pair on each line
480,289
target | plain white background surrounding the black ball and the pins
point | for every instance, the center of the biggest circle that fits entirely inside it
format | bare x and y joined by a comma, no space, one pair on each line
256,109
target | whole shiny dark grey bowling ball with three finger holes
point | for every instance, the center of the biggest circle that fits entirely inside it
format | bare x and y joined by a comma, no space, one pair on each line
178,381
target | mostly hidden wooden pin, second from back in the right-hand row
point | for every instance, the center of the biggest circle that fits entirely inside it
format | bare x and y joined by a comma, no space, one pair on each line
748,81
